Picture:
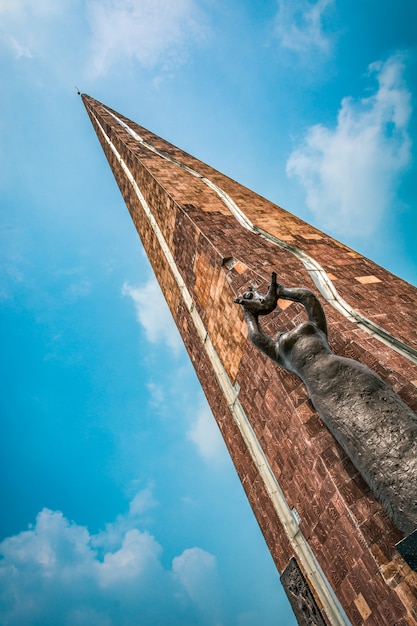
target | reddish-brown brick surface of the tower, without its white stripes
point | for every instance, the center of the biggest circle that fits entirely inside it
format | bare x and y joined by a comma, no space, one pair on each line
347,529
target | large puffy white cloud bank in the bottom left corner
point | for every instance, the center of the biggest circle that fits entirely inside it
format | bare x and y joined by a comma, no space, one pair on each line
57,572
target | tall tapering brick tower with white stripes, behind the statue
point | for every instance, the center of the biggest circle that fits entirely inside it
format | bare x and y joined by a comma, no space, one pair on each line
207,238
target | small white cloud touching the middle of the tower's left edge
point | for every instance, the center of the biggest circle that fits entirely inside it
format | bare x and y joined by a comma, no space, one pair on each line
153,314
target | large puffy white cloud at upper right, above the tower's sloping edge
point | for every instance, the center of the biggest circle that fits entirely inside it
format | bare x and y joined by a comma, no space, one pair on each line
350,173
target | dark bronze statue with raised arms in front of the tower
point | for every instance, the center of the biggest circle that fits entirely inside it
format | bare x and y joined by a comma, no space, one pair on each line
377,430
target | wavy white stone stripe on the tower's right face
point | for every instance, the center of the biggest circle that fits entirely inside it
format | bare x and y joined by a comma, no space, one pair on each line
317,273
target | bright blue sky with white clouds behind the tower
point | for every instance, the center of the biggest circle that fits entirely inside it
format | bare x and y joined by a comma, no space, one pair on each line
119,502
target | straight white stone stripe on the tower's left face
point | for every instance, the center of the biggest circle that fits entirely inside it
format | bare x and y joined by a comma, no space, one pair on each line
298,542
